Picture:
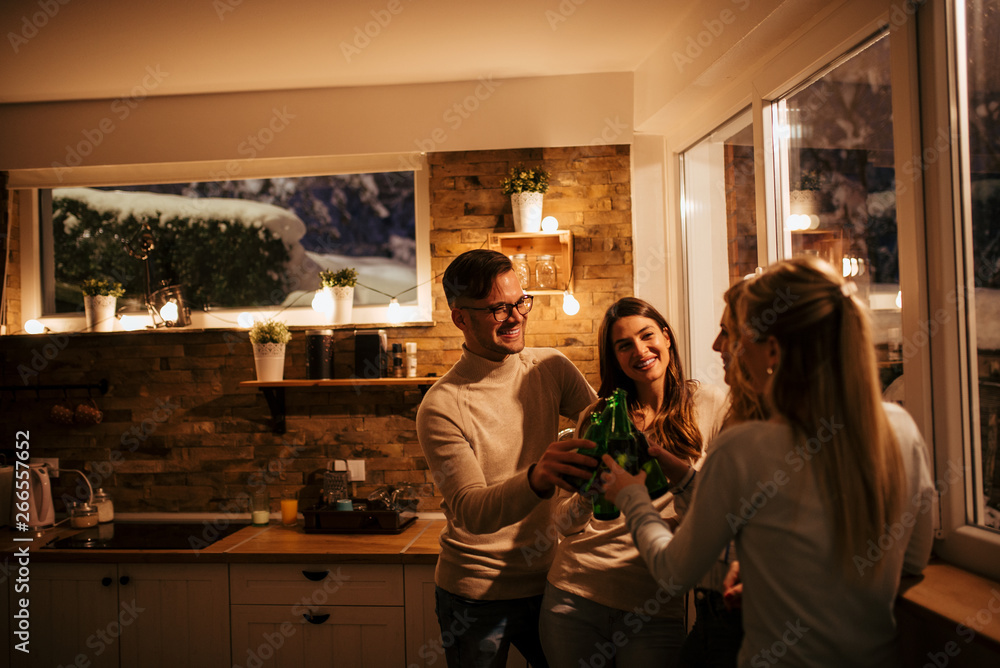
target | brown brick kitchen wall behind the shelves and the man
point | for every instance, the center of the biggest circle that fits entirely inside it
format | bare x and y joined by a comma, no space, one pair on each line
180,434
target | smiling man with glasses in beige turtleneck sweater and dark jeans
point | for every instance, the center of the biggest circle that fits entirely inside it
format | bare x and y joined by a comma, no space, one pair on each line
488,429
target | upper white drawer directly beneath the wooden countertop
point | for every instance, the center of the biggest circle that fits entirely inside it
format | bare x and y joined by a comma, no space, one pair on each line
313,585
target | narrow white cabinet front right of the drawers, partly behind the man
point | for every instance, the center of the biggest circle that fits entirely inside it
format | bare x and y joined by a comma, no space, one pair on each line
423,632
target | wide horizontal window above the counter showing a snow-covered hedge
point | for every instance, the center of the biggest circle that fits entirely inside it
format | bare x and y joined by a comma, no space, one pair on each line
254,245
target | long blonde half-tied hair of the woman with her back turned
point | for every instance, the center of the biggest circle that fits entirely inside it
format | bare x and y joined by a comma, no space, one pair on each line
826,385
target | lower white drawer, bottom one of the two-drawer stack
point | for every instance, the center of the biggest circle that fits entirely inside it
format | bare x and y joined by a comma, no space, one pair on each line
281,636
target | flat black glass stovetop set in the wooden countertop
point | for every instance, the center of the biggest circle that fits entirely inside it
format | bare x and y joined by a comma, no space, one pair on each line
148,536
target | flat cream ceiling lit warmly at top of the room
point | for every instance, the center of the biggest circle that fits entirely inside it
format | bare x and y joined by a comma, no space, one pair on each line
134,48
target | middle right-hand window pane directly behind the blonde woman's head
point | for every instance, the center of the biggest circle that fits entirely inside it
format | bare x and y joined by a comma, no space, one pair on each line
835,184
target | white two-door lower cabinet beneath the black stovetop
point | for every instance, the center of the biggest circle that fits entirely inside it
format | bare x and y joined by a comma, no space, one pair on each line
128,615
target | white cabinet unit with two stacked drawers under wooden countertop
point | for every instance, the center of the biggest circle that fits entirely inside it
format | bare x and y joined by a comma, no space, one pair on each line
317,615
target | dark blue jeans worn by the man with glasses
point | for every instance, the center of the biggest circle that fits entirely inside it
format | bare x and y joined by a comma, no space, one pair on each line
478,634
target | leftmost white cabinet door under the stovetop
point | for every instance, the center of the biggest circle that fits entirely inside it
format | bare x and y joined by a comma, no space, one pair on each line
74,616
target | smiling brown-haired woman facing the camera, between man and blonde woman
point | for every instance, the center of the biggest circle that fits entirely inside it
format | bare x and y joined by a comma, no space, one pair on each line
602,606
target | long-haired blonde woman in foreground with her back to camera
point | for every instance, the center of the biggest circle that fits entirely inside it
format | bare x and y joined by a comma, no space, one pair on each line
828,500
